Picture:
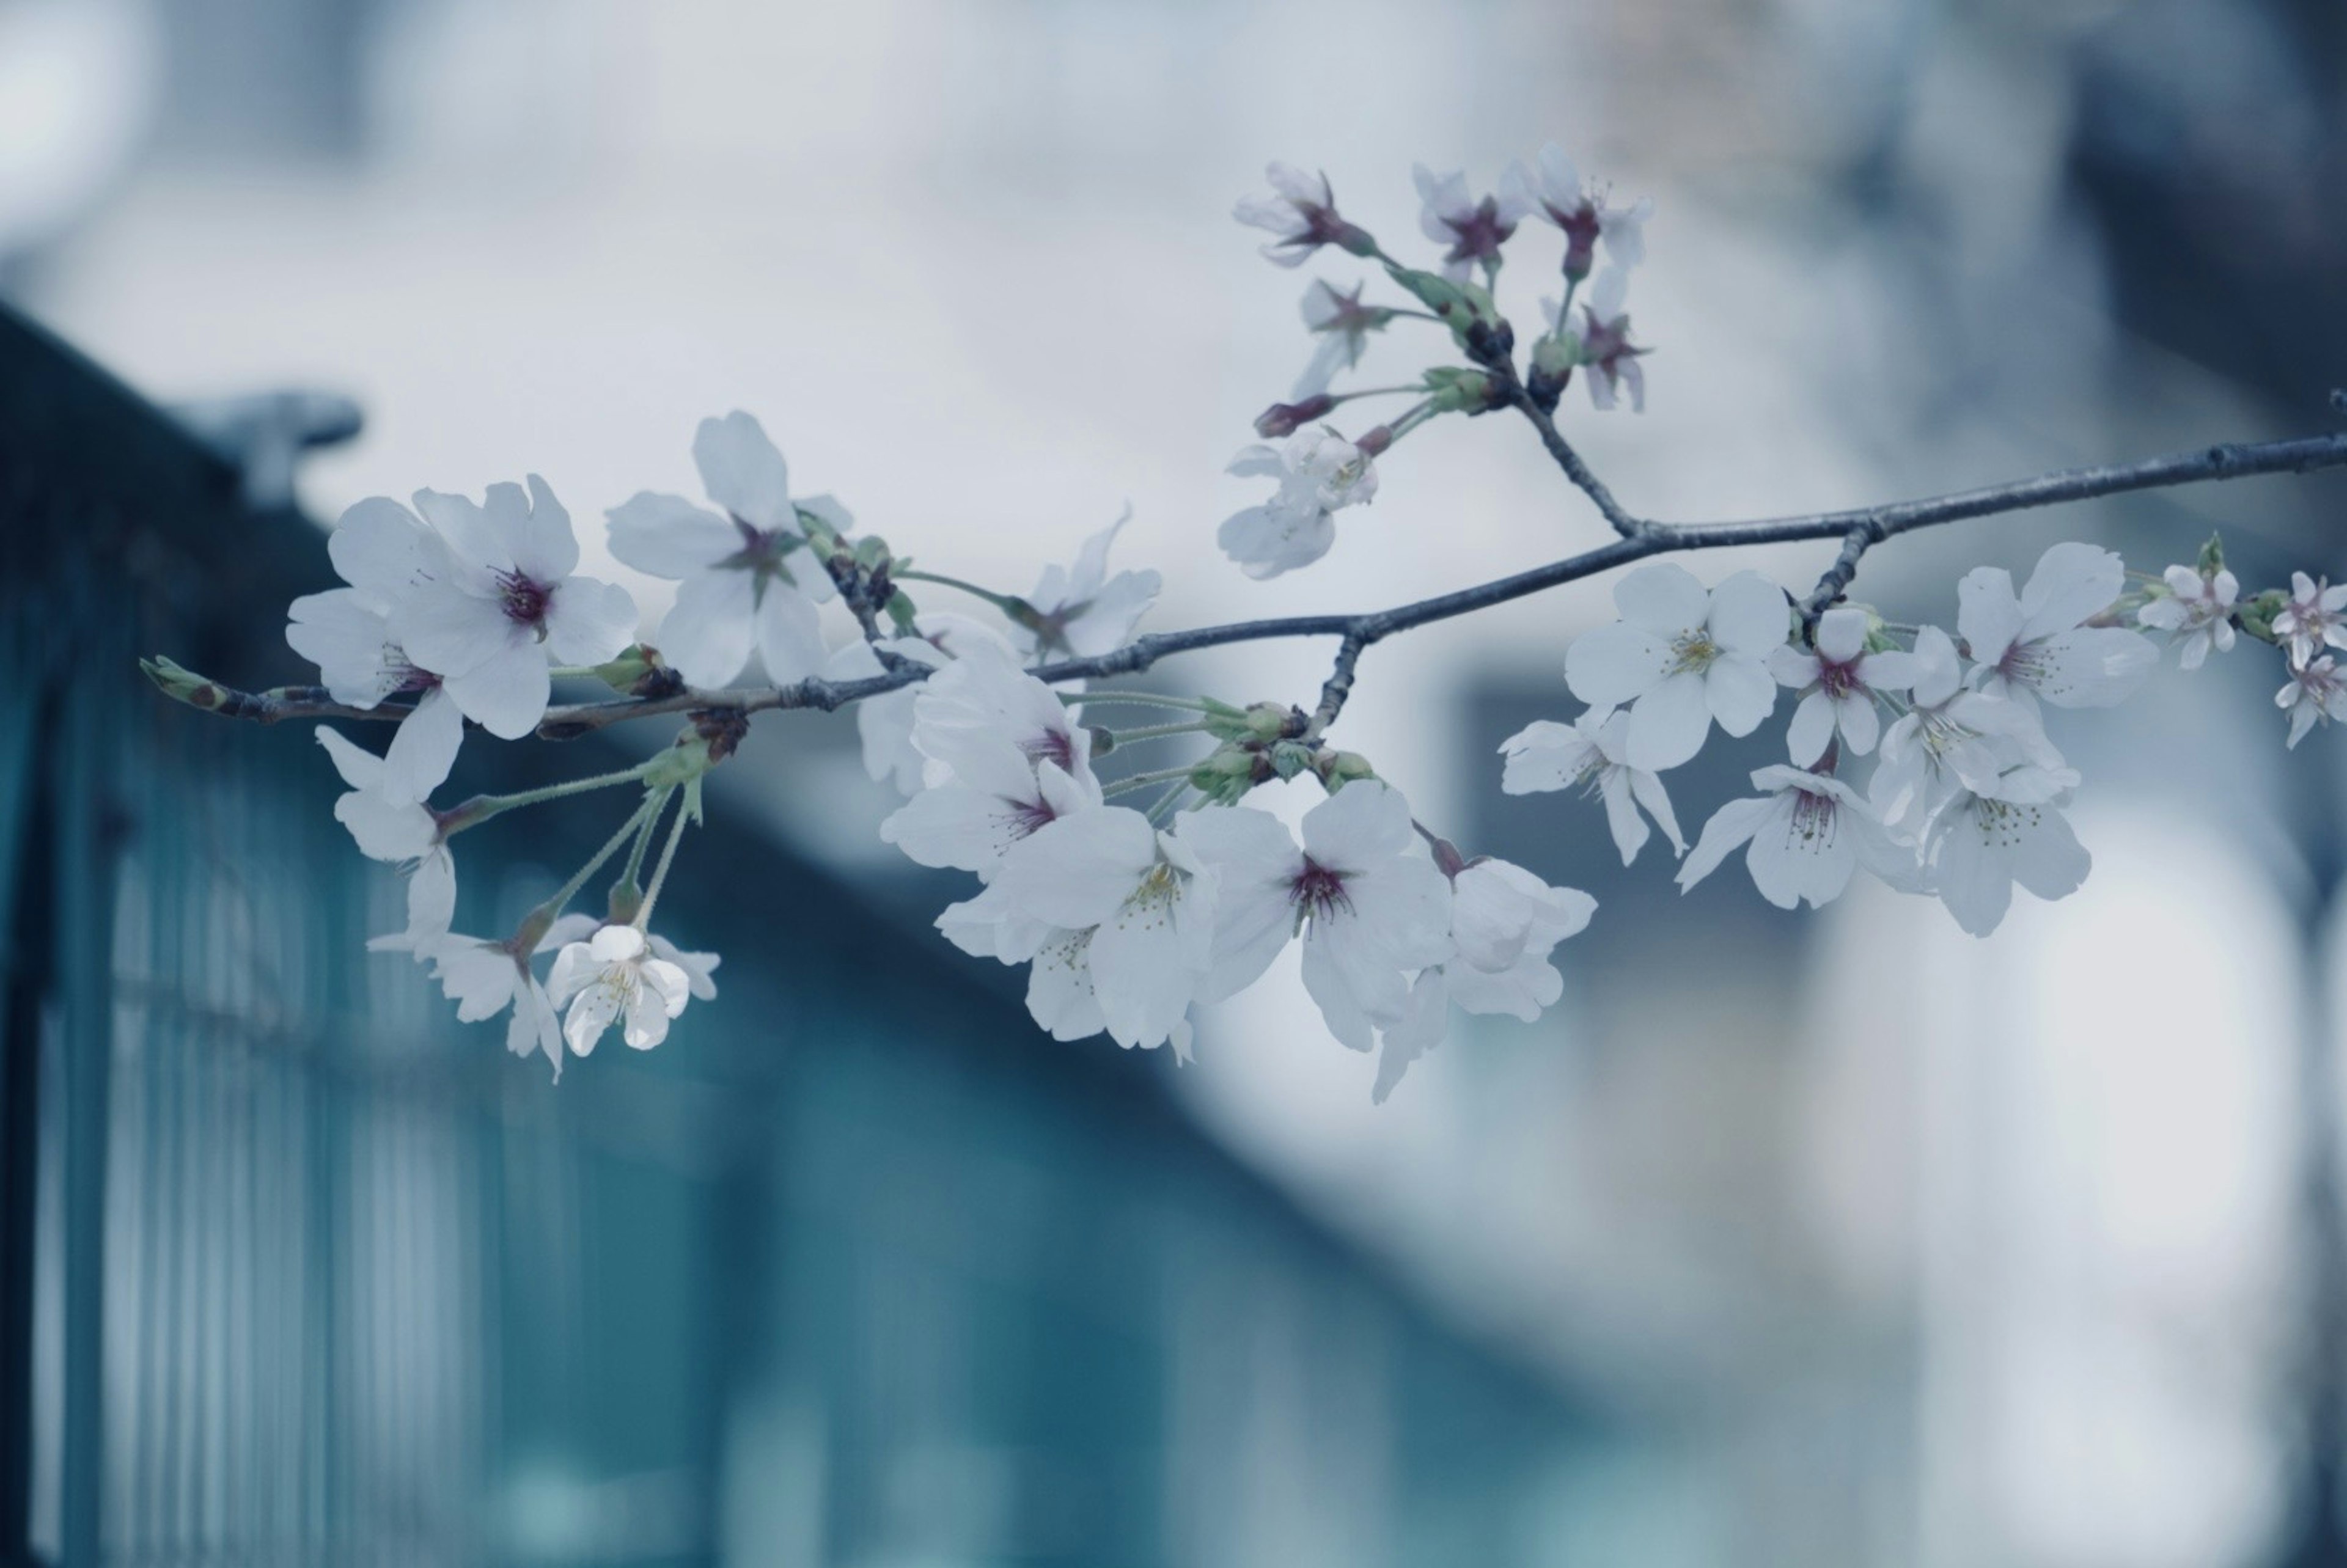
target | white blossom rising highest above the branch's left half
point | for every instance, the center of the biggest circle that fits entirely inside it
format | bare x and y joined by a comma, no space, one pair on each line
748,579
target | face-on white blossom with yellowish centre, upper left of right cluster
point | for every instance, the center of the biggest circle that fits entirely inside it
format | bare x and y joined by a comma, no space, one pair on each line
1682,658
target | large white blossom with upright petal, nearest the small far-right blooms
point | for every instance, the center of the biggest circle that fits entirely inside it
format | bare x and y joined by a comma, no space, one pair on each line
2038,644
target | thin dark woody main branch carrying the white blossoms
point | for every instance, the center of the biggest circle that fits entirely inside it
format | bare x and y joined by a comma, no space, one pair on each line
2203,464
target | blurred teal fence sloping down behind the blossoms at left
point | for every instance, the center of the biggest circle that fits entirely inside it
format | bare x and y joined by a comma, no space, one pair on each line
858,1269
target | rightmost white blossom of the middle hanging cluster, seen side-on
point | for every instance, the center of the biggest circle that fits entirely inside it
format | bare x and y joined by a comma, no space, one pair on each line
1503,926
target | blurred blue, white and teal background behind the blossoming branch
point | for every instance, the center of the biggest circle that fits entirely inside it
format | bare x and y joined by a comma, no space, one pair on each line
1879,1245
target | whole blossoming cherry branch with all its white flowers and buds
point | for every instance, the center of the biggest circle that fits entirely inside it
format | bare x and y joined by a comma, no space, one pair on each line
1137,895
